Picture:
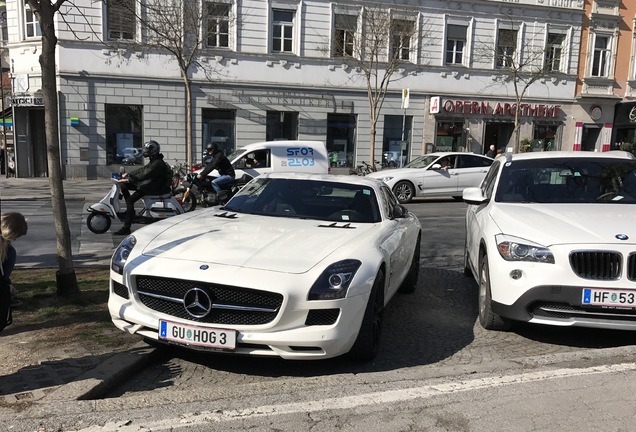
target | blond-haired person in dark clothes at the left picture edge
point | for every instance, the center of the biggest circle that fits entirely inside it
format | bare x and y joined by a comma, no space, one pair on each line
12,226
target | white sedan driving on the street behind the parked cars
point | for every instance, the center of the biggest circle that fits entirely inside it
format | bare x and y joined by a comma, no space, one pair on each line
436,175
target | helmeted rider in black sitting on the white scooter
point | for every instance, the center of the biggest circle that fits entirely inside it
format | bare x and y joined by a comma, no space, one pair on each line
152,179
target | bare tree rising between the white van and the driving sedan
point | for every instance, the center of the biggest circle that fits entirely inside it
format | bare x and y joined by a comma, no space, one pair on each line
378,46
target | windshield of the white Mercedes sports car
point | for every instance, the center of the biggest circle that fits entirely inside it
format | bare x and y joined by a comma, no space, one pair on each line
307,199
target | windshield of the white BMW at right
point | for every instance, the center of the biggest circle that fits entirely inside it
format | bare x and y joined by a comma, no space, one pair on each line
568,180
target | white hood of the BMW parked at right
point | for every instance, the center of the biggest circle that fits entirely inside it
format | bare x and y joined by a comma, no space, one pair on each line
551,224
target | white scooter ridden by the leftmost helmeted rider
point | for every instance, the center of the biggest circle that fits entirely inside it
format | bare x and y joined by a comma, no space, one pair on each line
155,208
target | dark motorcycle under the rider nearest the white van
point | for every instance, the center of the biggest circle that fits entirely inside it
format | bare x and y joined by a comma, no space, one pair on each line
194,191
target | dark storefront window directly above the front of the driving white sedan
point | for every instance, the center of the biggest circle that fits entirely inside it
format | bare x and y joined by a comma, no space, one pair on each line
396,142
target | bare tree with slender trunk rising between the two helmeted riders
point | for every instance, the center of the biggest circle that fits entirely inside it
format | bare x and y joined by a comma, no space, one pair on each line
176,26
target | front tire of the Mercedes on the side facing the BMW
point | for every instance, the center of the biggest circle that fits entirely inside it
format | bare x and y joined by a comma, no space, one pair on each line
367,343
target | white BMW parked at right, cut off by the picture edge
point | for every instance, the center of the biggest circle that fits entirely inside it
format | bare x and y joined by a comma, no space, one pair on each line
551,239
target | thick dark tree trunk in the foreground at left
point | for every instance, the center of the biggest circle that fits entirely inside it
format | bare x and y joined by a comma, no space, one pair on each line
45,11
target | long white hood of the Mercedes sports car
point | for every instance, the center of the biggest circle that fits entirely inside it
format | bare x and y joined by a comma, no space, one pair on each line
257,242
